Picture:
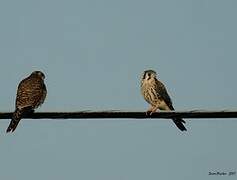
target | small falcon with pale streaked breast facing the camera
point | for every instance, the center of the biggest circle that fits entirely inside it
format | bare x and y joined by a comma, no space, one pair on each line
155,93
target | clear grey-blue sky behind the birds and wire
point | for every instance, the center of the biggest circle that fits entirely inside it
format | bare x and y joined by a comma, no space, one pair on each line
93,54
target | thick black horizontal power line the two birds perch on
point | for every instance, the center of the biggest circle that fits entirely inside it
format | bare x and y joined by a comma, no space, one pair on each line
114,114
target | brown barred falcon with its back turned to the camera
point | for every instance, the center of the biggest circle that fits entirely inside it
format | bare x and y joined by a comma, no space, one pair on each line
31,94
